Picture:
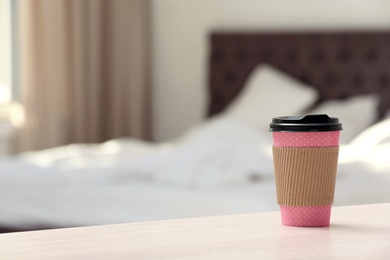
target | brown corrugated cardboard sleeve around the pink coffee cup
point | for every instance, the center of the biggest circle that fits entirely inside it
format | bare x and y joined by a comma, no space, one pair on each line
305,176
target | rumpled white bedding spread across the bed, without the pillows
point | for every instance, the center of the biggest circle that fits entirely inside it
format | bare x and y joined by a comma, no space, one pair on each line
220,167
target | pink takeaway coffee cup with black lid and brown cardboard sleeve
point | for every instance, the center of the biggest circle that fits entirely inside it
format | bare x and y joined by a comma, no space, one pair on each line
305,154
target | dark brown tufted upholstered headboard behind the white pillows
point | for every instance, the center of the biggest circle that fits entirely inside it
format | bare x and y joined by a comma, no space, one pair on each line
338,64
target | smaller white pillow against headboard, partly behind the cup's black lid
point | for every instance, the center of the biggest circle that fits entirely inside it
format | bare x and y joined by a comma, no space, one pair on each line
355,113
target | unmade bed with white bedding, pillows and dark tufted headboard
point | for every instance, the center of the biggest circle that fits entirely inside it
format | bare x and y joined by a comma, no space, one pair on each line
222,165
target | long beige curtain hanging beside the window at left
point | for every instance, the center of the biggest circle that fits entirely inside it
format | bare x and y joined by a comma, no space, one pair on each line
85,73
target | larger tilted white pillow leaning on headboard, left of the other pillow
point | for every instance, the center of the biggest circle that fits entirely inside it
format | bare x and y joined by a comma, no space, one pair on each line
270,93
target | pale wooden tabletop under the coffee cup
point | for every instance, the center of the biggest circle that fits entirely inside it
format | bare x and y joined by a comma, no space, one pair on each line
356,232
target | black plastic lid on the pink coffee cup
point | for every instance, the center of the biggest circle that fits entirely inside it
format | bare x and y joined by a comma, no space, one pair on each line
308,123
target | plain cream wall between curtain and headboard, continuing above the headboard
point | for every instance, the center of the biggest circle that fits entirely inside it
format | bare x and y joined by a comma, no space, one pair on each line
180,29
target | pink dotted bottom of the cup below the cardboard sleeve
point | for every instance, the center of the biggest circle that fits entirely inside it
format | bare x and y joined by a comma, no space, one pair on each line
306,216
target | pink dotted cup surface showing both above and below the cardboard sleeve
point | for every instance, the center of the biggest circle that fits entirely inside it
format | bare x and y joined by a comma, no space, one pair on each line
306,216
